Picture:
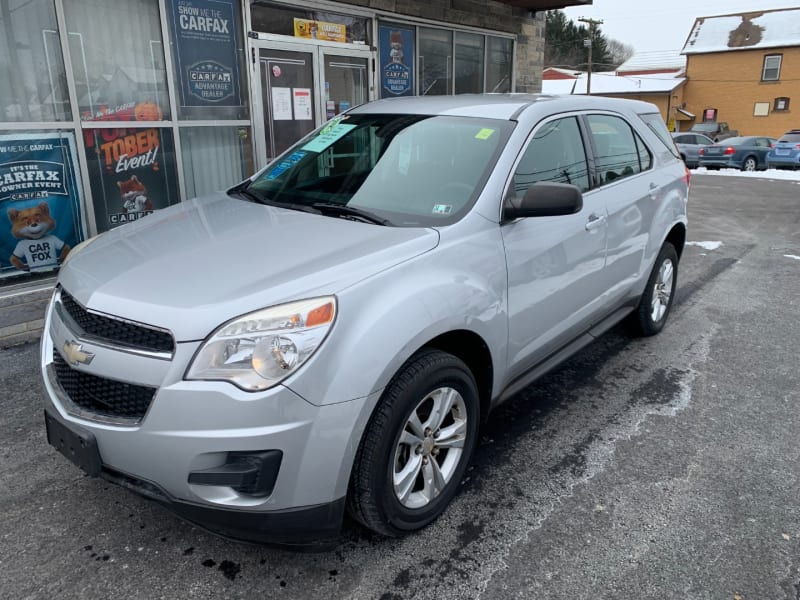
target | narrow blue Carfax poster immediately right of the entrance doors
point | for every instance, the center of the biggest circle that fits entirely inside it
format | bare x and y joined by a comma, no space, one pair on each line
396,60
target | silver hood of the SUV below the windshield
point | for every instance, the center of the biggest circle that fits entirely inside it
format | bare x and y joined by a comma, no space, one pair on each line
195,265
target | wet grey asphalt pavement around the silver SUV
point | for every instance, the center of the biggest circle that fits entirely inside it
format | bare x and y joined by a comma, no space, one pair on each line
667,467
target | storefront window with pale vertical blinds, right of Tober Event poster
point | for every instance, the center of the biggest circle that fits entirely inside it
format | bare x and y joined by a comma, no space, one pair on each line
215,158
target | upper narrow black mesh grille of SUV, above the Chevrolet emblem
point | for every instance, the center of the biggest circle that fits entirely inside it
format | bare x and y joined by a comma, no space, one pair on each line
115,331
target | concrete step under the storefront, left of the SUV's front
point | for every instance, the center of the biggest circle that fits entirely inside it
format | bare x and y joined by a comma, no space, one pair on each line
22,311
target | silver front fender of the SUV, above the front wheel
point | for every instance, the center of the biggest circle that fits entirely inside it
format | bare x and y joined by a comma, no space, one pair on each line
384,320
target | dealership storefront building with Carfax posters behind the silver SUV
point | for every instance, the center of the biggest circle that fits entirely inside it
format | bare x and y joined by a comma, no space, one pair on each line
110,110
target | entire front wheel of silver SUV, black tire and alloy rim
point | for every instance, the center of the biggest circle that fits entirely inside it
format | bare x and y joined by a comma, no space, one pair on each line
417,445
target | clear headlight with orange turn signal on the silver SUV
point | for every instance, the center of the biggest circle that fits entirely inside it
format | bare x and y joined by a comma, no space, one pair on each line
258,350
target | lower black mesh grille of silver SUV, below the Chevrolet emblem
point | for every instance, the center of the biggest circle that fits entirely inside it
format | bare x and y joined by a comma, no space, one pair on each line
101,396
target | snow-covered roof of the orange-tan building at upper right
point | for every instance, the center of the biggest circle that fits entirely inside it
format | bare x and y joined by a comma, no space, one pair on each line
745,31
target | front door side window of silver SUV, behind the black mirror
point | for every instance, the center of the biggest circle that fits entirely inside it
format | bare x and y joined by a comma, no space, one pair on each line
555,153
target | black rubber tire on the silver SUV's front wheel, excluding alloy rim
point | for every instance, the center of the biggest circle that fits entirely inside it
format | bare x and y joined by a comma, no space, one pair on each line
372,499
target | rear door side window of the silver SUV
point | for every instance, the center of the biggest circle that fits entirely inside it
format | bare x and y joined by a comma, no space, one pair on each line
620,151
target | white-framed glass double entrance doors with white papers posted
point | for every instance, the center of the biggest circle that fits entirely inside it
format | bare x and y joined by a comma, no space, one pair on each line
303,85
